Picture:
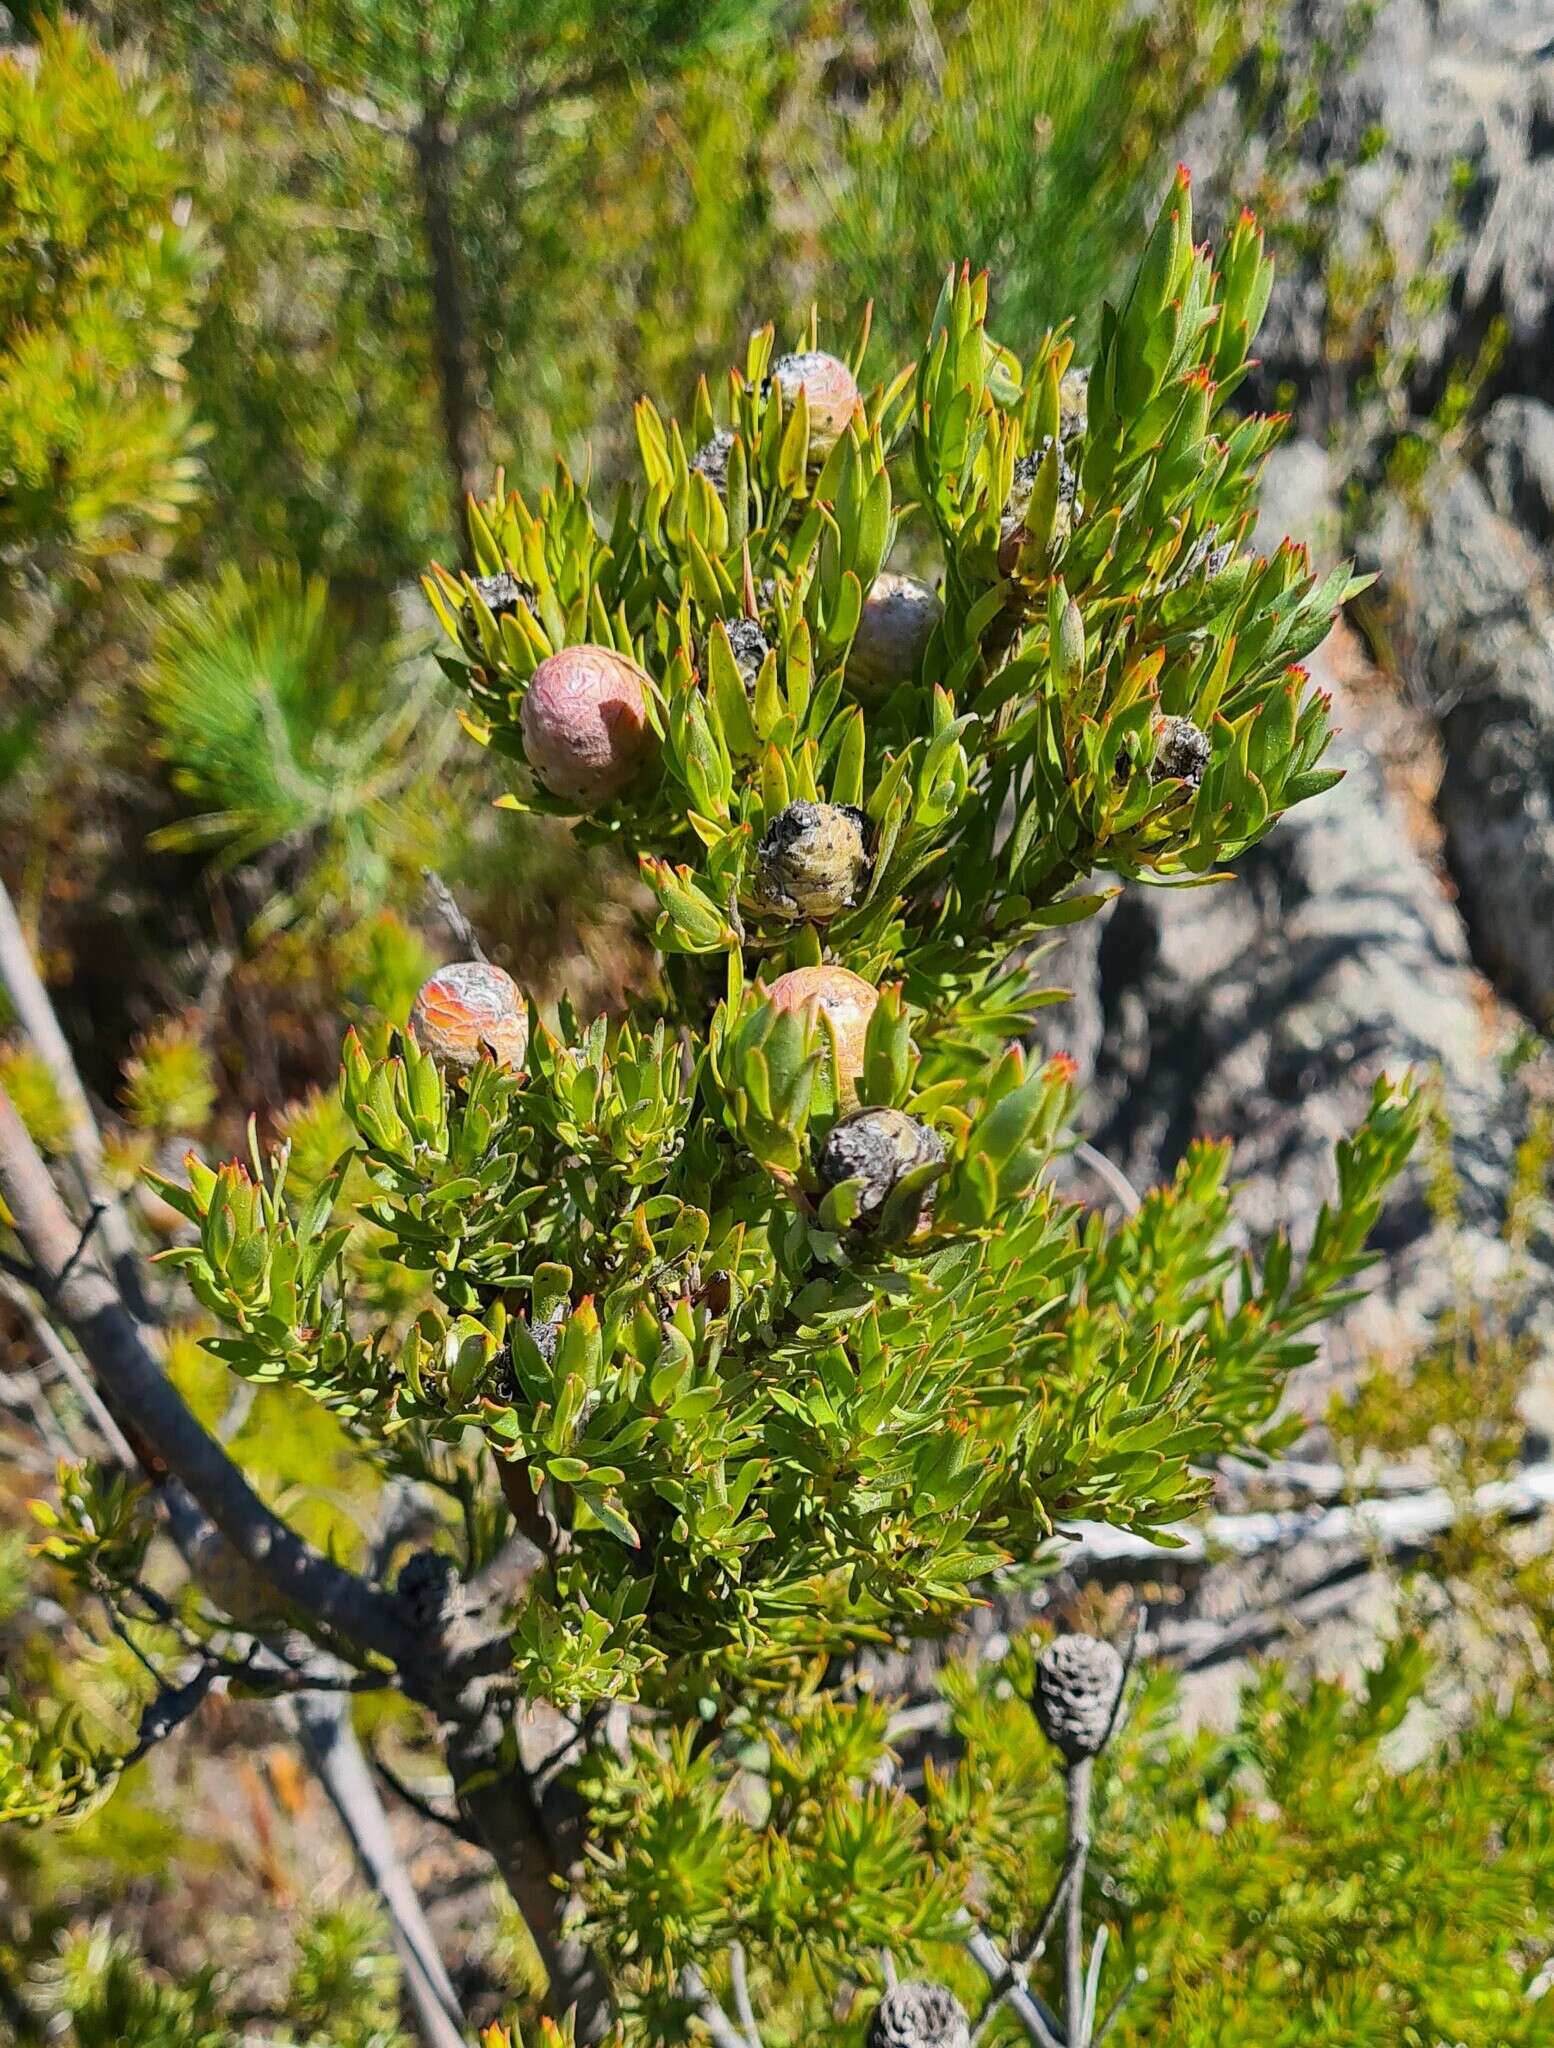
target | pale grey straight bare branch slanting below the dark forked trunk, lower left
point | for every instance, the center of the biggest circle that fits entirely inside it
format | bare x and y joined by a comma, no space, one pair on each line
322,1723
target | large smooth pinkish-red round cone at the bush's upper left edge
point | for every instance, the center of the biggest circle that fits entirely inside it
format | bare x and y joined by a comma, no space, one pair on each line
585,722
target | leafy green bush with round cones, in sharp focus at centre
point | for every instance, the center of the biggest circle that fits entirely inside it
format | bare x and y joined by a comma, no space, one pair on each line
750,1328
